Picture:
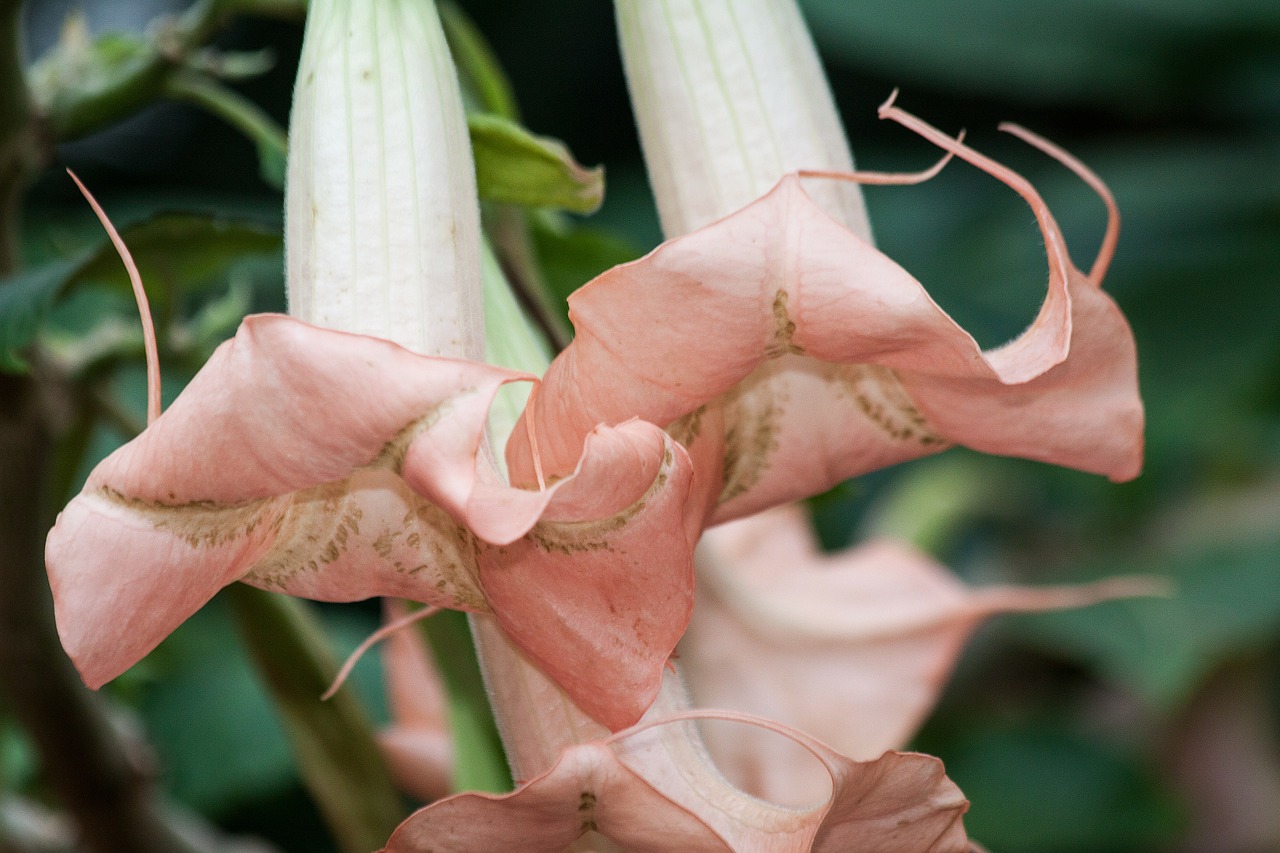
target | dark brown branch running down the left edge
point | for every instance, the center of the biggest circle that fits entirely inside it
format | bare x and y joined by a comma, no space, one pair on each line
104,784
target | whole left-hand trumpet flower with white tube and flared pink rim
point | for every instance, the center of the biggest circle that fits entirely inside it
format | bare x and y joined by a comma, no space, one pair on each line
340,467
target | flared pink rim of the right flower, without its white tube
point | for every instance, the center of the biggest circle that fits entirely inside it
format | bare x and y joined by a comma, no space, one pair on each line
829,359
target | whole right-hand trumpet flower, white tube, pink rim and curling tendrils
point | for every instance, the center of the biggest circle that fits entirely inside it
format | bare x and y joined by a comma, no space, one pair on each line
783,349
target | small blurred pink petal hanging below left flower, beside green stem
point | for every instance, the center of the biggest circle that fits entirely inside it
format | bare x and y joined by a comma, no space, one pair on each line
417,745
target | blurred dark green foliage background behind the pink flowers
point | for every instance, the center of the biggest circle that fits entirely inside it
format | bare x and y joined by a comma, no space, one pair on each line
1131,727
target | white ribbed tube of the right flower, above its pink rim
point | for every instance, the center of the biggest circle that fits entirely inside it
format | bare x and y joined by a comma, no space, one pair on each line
729,97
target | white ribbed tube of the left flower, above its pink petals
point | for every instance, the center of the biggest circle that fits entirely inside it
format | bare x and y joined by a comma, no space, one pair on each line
383,227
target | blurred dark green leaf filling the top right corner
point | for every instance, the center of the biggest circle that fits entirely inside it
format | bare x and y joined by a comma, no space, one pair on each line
1049,52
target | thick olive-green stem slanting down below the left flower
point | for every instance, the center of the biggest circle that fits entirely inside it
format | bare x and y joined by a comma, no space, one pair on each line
333,741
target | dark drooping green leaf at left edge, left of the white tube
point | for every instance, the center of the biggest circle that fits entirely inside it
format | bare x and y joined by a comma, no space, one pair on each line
175,250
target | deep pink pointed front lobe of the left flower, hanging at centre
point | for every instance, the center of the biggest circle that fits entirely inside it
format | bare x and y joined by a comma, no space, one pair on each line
616,591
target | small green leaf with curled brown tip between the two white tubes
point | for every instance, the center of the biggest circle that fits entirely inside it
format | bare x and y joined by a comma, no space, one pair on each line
516,167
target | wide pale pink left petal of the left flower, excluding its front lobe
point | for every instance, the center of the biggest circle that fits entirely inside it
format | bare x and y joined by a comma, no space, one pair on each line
277,462
